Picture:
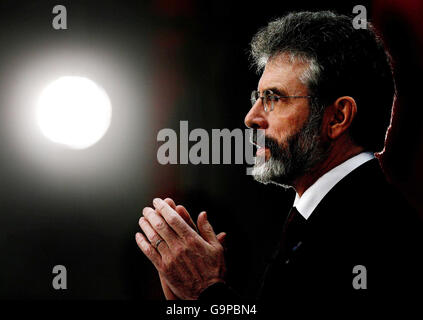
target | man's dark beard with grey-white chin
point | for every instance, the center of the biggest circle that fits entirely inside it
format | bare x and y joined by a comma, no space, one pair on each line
297,154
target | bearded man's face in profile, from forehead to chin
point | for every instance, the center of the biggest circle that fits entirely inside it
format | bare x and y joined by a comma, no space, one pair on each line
292,132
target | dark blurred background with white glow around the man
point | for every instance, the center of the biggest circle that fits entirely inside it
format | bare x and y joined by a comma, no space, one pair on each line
160,62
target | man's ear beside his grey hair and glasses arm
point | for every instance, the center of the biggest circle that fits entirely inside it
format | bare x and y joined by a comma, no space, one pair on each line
341,116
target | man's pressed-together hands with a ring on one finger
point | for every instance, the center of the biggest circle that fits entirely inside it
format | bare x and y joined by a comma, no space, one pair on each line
187,259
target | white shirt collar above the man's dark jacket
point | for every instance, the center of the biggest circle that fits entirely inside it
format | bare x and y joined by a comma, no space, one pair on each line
317,191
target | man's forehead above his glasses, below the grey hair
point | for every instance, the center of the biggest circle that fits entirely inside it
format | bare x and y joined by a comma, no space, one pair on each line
283,73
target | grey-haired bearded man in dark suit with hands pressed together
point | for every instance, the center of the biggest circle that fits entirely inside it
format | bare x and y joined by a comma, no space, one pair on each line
324,100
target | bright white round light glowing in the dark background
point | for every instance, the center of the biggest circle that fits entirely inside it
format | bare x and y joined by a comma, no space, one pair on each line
74,111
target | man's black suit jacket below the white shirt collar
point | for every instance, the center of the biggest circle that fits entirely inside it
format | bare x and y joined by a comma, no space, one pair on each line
362,221
